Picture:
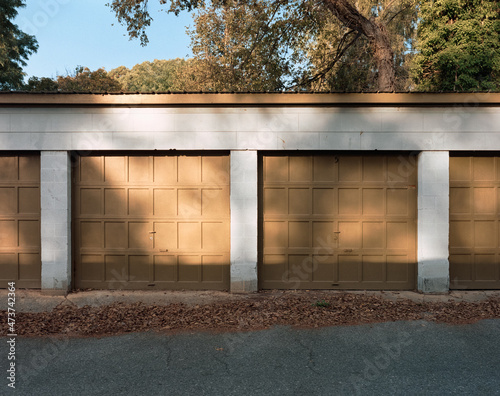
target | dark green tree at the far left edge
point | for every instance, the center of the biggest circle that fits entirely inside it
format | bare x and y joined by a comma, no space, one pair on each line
15,46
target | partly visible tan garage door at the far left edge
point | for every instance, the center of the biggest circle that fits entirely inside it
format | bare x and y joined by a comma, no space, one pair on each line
20,221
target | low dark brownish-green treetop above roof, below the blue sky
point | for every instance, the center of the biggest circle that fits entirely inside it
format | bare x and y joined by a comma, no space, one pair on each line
85,80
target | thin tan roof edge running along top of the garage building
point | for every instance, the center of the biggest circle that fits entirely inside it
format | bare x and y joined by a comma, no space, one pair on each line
249,99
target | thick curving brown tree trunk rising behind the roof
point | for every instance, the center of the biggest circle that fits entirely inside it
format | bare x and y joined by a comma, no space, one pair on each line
377,36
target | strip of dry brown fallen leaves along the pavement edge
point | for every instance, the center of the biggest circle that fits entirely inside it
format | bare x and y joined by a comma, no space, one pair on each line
260,311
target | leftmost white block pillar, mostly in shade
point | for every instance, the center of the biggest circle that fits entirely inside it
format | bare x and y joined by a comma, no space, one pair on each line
55,189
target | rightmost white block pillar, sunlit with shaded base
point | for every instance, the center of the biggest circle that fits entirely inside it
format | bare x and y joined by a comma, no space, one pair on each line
433,221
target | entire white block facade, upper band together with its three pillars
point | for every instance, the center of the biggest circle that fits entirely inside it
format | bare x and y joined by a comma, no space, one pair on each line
244,130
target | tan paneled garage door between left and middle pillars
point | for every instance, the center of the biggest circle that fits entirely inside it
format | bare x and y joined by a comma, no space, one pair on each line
152,222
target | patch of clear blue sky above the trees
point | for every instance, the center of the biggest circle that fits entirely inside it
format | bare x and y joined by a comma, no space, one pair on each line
81,32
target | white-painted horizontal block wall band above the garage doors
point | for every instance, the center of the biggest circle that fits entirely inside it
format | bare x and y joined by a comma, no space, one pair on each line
272,128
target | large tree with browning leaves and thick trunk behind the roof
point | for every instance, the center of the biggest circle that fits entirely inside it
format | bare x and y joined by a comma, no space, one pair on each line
266,44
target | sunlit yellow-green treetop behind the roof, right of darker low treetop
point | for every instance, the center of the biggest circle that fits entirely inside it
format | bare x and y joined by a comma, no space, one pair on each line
156,76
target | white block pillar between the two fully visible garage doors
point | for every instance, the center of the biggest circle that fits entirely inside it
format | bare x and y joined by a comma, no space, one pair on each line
244,221
